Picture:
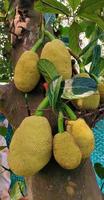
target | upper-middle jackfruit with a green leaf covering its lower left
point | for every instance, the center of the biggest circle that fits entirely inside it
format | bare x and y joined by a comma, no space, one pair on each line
56,52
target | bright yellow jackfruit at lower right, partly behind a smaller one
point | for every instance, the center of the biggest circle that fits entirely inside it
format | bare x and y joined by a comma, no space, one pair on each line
83,136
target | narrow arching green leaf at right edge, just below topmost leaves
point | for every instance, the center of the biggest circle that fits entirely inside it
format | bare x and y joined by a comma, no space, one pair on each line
94,18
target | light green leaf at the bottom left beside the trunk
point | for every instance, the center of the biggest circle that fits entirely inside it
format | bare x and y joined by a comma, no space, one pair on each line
15,191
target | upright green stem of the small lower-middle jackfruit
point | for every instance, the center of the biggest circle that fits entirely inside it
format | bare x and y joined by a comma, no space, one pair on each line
60,122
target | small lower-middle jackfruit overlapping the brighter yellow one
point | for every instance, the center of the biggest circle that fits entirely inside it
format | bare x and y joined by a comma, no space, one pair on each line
66,151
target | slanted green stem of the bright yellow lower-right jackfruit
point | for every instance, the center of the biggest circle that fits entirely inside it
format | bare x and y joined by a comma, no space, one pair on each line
69,112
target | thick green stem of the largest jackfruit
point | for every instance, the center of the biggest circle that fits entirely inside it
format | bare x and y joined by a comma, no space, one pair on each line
42,106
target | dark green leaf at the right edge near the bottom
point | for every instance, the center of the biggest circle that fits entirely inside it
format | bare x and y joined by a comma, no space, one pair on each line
99,169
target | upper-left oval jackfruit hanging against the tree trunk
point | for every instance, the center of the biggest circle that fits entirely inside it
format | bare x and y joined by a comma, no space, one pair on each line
26,74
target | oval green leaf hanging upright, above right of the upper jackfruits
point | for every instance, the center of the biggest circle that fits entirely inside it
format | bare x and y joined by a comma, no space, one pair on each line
74,32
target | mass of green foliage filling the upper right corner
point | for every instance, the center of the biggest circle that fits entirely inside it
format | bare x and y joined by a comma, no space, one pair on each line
74,17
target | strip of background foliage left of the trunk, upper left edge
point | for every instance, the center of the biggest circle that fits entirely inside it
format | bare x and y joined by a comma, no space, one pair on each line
5,61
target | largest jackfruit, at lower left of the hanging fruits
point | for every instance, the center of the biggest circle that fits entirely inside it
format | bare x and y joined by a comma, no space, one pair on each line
31,146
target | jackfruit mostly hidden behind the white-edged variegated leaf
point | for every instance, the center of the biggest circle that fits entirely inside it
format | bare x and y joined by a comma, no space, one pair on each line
90,102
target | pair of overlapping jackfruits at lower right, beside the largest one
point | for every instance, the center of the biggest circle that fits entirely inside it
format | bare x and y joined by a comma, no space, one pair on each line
75,144
